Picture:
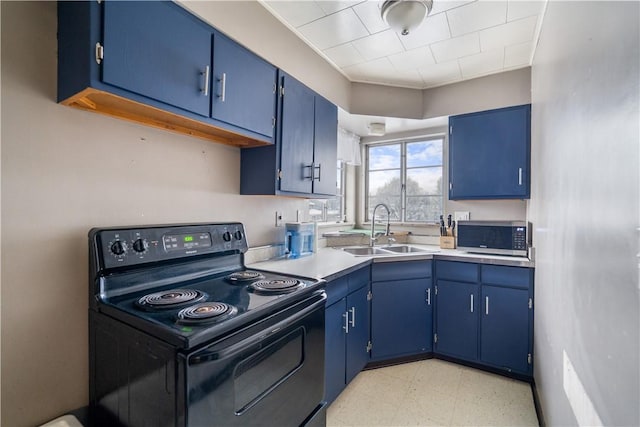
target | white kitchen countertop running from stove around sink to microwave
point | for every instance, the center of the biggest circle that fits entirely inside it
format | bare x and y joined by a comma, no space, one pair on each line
329,263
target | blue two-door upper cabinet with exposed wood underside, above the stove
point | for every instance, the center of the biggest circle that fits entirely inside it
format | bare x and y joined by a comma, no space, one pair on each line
156,64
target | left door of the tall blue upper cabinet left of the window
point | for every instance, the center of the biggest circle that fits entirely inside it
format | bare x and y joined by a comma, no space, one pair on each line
296,137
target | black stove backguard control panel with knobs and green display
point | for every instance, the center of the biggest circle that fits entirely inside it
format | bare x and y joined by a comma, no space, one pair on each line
117,247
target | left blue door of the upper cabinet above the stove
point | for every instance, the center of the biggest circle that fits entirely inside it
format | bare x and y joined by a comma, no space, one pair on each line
158,50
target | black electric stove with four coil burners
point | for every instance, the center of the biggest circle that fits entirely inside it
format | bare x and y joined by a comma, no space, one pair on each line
225,343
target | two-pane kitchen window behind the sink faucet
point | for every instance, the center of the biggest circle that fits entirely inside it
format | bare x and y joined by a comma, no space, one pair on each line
407,177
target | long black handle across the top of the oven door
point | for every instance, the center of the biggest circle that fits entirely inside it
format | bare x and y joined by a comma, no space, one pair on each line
226,349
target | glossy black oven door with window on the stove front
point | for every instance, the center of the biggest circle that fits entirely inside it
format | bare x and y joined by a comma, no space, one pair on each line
270,373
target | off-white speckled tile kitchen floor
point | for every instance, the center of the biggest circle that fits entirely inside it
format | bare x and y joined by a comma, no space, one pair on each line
432,393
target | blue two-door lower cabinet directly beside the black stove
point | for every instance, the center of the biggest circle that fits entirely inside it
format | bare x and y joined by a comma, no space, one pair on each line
347,329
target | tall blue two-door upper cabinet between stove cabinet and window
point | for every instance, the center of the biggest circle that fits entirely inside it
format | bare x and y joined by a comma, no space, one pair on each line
303,162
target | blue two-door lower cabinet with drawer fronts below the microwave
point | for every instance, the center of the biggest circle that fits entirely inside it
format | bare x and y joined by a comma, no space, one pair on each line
484,314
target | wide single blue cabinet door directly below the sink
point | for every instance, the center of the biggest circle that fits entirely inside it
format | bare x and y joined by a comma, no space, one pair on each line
400,318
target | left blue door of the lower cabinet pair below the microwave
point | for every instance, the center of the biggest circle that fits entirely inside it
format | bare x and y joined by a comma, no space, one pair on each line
457,319
